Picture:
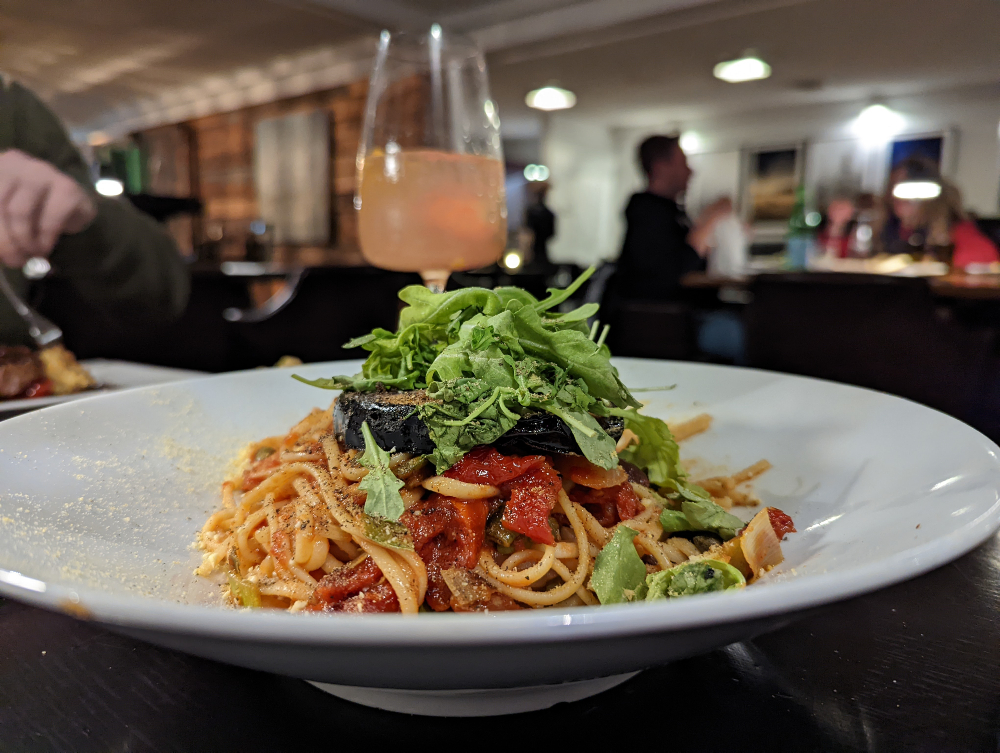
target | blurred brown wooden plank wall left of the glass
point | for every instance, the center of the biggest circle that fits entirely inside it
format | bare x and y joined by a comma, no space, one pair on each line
212,158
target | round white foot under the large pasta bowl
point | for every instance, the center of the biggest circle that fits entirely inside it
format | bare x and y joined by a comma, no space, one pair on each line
488,702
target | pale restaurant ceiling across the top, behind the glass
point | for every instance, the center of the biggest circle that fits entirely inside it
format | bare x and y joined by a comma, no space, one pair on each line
121,64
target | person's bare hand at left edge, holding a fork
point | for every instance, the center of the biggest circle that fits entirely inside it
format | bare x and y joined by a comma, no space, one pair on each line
38,203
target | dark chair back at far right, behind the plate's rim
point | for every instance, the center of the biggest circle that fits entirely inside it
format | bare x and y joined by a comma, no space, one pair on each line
875,331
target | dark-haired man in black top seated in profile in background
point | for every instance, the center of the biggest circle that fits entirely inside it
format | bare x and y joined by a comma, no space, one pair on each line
661,244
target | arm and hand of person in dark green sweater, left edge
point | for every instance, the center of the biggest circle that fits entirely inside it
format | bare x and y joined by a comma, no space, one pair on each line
116,257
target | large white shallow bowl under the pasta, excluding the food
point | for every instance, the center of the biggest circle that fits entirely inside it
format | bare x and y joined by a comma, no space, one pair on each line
100,501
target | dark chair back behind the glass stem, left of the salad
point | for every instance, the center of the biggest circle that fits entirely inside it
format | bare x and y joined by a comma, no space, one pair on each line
331,306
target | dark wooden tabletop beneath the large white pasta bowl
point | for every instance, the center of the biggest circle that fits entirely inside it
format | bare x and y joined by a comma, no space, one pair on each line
915,667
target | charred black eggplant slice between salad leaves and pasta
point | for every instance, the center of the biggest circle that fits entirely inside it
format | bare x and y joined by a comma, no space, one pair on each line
393,420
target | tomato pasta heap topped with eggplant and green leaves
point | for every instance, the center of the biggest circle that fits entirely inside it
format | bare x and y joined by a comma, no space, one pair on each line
487,458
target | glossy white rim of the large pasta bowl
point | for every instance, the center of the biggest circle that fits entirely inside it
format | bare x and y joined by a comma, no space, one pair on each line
530,626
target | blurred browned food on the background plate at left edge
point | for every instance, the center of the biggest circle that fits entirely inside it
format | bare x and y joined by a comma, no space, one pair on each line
52,371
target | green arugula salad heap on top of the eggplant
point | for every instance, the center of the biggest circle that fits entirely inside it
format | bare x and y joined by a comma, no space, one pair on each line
488,357
